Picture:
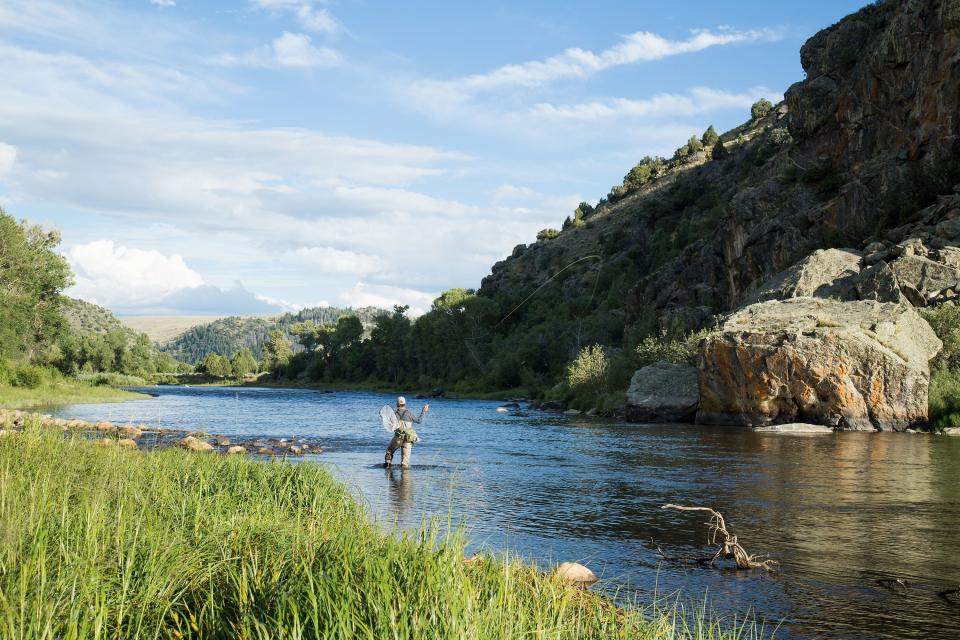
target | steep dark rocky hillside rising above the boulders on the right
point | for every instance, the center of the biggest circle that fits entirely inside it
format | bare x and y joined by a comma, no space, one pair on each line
859,147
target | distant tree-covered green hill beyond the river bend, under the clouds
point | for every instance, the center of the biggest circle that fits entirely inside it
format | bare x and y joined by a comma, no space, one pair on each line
226,336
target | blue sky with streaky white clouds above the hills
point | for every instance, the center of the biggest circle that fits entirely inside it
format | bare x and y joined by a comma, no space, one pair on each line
253,156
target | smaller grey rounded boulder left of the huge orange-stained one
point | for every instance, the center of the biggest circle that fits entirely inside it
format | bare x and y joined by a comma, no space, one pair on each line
663,392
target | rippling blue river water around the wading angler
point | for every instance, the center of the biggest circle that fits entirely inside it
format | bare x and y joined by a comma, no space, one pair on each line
840,512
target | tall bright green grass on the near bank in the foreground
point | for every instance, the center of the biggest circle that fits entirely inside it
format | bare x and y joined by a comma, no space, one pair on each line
101,542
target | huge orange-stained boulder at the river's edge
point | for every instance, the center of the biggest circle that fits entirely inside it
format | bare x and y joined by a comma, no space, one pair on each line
859,365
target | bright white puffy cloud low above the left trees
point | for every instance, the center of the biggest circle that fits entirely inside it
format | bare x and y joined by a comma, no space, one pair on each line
111,275
